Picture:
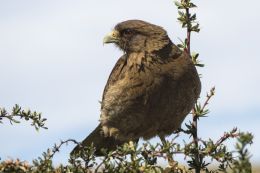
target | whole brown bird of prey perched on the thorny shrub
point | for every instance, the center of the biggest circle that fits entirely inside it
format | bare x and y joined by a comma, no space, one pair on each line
149,92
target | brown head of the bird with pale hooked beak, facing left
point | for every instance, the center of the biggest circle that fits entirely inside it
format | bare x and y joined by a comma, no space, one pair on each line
137,36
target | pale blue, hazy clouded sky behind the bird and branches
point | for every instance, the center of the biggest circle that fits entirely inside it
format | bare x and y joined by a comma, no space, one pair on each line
53,61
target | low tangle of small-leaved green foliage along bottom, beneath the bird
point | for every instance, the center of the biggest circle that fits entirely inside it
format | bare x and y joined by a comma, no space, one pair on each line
131,158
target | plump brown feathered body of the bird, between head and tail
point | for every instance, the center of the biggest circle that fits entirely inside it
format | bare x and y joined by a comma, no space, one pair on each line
143,91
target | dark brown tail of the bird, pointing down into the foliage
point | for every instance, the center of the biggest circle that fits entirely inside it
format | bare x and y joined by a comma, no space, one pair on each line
99,141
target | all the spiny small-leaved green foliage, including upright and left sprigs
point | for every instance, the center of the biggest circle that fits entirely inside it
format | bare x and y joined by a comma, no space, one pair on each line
200,154
